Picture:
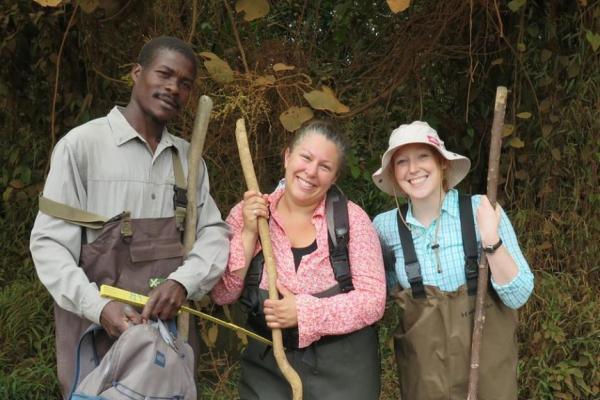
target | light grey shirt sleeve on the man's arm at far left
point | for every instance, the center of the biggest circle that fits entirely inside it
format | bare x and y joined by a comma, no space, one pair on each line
55,245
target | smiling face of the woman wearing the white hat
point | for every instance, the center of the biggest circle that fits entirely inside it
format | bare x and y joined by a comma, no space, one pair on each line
418,171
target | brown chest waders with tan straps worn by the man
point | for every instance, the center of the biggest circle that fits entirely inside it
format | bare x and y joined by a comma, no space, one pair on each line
132,254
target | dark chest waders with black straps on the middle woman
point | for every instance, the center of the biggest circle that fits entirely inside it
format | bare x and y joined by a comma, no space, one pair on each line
344,367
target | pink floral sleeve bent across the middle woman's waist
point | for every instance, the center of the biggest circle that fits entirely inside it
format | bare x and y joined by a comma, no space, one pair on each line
363,306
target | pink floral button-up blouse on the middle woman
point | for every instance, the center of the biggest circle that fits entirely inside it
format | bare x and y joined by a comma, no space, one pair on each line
317,317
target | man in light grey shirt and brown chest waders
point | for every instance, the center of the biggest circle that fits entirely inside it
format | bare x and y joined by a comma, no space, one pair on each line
126,161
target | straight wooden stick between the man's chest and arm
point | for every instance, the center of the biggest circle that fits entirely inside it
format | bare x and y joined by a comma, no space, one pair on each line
191,212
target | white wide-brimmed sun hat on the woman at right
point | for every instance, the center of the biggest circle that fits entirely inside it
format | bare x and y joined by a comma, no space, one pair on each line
418,132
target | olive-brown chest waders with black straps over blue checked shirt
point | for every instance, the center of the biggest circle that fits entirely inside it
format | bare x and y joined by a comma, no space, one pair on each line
433,341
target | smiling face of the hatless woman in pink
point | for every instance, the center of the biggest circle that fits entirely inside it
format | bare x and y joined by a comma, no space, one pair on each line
311,167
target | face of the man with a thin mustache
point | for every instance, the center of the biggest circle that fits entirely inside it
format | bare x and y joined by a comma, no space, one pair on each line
163,87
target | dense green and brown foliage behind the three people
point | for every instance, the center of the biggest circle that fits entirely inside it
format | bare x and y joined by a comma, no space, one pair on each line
437,61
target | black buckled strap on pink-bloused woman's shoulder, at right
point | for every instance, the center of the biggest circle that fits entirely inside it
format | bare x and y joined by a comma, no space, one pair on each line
338,228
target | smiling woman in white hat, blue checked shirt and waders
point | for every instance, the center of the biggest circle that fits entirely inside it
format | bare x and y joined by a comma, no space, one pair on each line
435,241
